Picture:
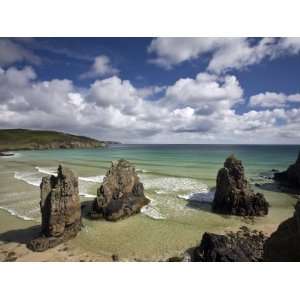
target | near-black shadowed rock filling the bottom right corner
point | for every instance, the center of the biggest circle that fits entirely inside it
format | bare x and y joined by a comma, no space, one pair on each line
284,243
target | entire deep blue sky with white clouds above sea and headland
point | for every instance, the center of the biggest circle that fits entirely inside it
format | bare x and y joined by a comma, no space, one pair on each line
154,90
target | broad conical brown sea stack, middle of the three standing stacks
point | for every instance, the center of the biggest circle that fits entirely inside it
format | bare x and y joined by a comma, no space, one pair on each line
121,194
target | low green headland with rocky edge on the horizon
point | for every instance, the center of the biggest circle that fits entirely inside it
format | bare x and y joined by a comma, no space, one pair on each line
24,139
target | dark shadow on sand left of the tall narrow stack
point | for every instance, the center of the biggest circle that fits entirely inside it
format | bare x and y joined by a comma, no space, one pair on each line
21,236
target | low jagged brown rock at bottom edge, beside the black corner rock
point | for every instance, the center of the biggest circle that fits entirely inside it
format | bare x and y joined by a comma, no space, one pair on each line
244,245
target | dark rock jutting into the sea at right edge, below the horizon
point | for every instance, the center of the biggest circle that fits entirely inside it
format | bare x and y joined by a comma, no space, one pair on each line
290,177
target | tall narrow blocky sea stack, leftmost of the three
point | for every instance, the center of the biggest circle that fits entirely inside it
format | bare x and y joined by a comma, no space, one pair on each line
60,209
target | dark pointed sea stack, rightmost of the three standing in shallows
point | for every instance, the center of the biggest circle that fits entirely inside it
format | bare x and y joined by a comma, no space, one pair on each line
233,193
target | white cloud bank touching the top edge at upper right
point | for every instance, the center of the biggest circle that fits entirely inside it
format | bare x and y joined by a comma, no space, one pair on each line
224,53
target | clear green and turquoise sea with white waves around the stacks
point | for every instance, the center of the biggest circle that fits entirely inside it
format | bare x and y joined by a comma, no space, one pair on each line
179,180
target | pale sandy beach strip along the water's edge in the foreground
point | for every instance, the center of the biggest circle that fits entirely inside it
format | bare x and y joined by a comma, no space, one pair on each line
14,237
